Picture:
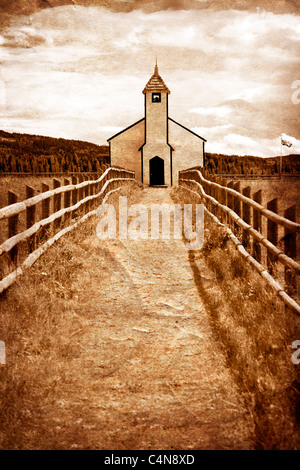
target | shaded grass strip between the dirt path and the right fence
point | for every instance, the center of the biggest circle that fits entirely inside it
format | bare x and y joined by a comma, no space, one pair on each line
256,332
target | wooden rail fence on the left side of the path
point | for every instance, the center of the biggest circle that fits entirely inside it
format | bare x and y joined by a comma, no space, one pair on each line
63,206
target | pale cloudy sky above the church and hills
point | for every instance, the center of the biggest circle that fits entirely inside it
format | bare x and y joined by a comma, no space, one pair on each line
76,68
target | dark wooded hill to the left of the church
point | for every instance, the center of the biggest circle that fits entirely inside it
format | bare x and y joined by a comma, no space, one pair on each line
25,153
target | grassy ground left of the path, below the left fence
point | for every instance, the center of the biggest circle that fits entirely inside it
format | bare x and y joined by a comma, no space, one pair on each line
46,321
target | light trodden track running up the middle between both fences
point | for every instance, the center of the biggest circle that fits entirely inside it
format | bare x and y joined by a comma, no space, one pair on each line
183,394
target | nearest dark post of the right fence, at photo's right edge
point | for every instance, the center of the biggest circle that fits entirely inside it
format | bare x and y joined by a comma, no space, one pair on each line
290,249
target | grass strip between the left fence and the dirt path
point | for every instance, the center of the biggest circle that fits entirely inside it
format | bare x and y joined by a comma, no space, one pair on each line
39,319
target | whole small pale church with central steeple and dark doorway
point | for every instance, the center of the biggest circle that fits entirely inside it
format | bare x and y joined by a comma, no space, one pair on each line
156,147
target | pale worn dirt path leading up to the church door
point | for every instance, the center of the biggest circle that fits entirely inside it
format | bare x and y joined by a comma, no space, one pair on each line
156,376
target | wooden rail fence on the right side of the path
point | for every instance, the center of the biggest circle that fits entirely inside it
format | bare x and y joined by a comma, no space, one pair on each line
254,230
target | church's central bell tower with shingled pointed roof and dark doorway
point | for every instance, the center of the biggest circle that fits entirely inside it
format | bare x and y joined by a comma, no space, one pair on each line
156,151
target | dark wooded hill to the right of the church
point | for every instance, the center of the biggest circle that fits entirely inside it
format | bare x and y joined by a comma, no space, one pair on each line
248,165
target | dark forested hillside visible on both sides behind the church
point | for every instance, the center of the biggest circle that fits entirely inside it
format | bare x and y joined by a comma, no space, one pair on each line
24,153
